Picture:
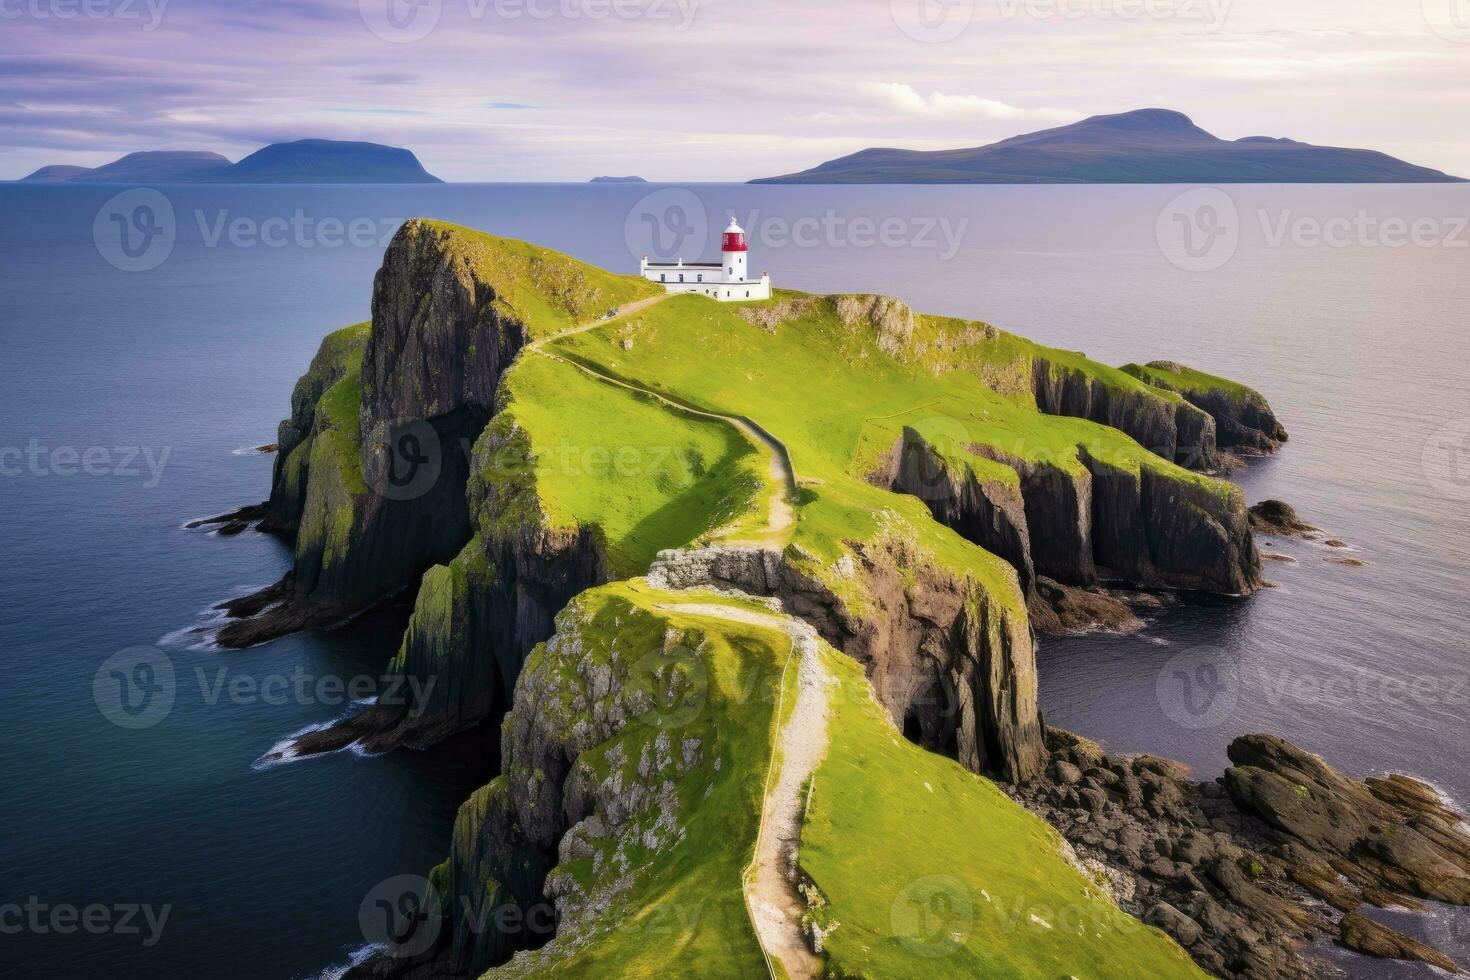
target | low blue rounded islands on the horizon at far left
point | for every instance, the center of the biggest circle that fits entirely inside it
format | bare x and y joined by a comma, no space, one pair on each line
299,162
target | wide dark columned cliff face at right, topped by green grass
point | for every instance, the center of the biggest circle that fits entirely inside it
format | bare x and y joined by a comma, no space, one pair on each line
1078,525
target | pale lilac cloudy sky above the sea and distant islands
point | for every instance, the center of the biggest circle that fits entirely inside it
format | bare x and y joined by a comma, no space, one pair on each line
714,90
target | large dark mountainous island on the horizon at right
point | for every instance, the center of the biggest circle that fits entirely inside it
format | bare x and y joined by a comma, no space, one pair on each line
1149,146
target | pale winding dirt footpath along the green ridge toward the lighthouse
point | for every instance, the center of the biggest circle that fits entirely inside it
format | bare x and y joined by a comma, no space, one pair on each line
772,898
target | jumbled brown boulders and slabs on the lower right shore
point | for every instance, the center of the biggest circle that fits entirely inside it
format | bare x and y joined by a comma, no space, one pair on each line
1230,868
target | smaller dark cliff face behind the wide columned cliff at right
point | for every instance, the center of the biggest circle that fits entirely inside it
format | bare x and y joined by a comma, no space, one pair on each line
1171,428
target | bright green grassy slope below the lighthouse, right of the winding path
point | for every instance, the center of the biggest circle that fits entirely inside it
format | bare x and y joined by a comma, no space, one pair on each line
840,393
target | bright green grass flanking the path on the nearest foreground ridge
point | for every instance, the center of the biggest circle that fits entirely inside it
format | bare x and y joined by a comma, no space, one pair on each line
984,891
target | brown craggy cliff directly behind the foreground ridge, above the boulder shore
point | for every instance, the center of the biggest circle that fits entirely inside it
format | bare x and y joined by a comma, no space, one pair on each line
953,666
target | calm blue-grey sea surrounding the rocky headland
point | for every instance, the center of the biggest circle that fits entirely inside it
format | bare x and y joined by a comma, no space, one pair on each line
135,374
